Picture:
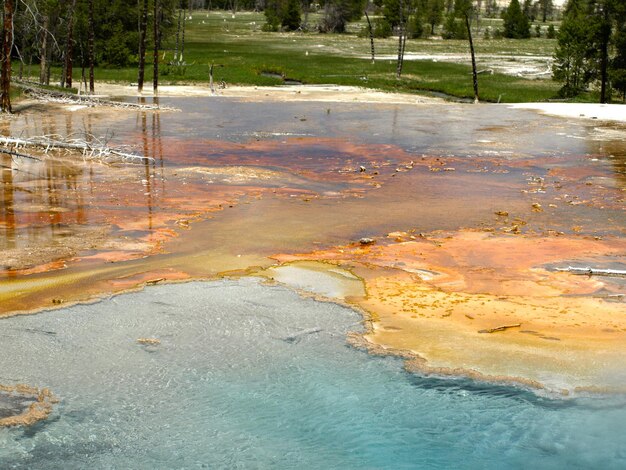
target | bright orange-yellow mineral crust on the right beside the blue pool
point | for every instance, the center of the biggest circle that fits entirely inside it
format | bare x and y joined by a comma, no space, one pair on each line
442,296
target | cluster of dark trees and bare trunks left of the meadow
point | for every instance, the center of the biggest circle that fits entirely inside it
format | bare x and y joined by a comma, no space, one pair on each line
71,34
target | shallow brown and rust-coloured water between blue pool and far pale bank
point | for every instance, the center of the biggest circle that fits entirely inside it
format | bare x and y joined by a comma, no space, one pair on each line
80,216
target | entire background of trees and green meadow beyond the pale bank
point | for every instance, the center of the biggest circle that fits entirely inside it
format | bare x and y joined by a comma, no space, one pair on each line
69,43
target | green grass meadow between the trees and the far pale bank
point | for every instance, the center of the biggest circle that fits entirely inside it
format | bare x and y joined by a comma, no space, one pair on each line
246,54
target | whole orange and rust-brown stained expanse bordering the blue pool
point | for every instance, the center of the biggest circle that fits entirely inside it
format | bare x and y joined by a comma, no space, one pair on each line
463,246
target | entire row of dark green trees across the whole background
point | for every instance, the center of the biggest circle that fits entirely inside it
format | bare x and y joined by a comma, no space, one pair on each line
82,34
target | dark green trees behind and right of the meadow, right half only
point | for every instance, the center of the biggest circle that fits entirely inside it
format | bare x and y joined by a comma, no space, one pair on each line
591,40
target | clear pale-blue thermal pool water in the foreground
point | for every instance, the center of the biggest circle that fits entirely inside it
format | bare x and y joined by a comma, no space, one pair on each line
252,376
